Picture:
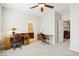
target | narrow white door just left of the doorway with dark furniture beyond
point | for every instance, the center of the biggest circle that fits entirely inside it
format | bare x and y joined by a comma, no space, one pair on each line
60,31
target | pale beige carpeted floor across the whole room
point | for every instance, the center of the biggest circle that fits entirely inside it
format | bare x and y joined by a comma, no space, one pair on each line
38,49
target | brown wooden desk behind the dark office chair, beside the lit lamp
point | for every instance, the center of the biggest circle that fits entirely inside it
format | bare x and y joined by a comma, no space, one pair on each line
25,39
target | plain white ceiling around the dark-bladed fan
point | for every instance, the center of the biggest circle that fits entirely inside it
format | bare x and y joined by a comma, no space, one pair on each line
62,8
